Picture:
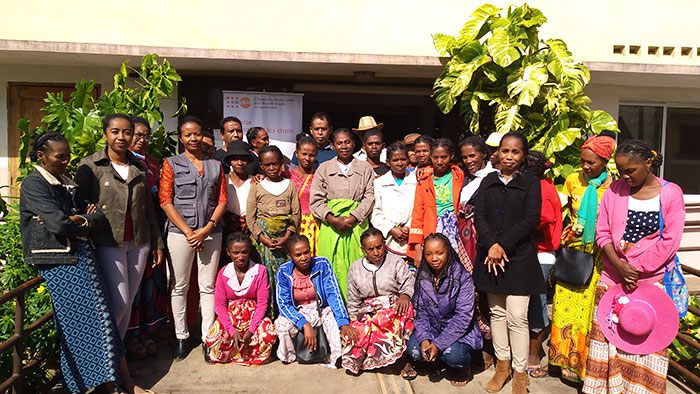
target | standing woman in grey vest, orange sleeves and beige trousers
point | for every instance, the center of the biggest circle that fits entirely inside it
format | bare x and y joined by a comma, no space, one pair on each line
193,196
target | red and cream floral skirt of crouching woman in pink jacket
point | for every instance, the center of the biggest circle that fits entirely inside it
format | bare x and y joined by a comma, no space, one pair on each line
221,344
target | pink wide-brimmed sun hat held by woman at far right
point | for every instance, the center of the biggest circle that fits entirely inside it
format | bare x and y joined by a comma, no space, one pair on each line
641,322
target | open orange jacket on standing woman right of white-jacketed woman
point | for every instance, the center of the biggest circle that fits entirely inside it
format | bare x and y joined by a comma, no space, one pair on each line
424,219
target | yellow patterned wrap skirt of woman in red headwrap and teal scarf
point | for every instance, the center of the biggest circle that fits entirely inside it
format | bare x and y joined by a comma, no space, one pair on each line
572,316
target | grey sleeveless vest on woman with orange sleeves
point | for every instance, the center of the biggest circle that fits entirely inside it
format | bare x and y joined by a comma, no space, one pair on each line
195,197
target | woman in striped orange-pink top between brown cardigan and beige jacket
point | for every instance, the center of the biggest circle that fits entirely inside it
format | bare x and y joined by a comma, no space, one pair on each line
303,176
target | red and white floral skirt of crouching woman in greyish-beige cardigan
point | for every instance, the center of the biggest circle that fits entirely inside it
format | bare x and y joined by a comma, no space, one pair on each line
383,334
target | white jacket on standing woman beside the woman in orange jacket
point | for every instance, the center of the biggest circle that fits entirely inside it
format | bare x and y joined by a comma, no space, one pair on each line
393,206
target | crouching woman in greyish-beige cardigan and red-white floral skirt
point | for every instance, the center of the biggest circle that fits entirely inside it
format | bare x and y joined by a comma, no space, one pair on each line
380,288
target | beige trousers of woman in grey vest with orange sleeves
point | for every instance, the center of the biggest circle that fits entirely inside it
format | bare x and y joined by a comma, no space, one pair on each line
182,257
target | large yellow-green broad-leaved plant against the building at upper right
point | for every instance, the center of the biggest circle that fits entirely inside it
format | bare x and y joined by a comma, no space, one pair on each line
499,72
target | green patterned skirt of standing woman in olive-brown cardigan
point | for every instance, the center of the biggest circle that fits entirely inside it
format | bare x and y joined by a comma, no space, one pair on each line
273,228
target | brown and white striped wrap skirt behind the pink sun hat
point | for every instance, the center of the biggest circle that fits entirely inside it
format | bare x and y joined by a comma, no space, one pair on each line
612,371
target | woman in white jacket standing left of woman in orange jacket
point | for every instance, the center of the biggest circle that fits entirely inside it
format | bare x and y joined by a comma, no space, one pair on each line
394,193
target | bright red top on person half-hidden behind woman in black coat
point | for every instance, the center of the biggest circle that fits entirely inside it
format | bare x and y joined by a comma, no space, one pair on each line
548,232
